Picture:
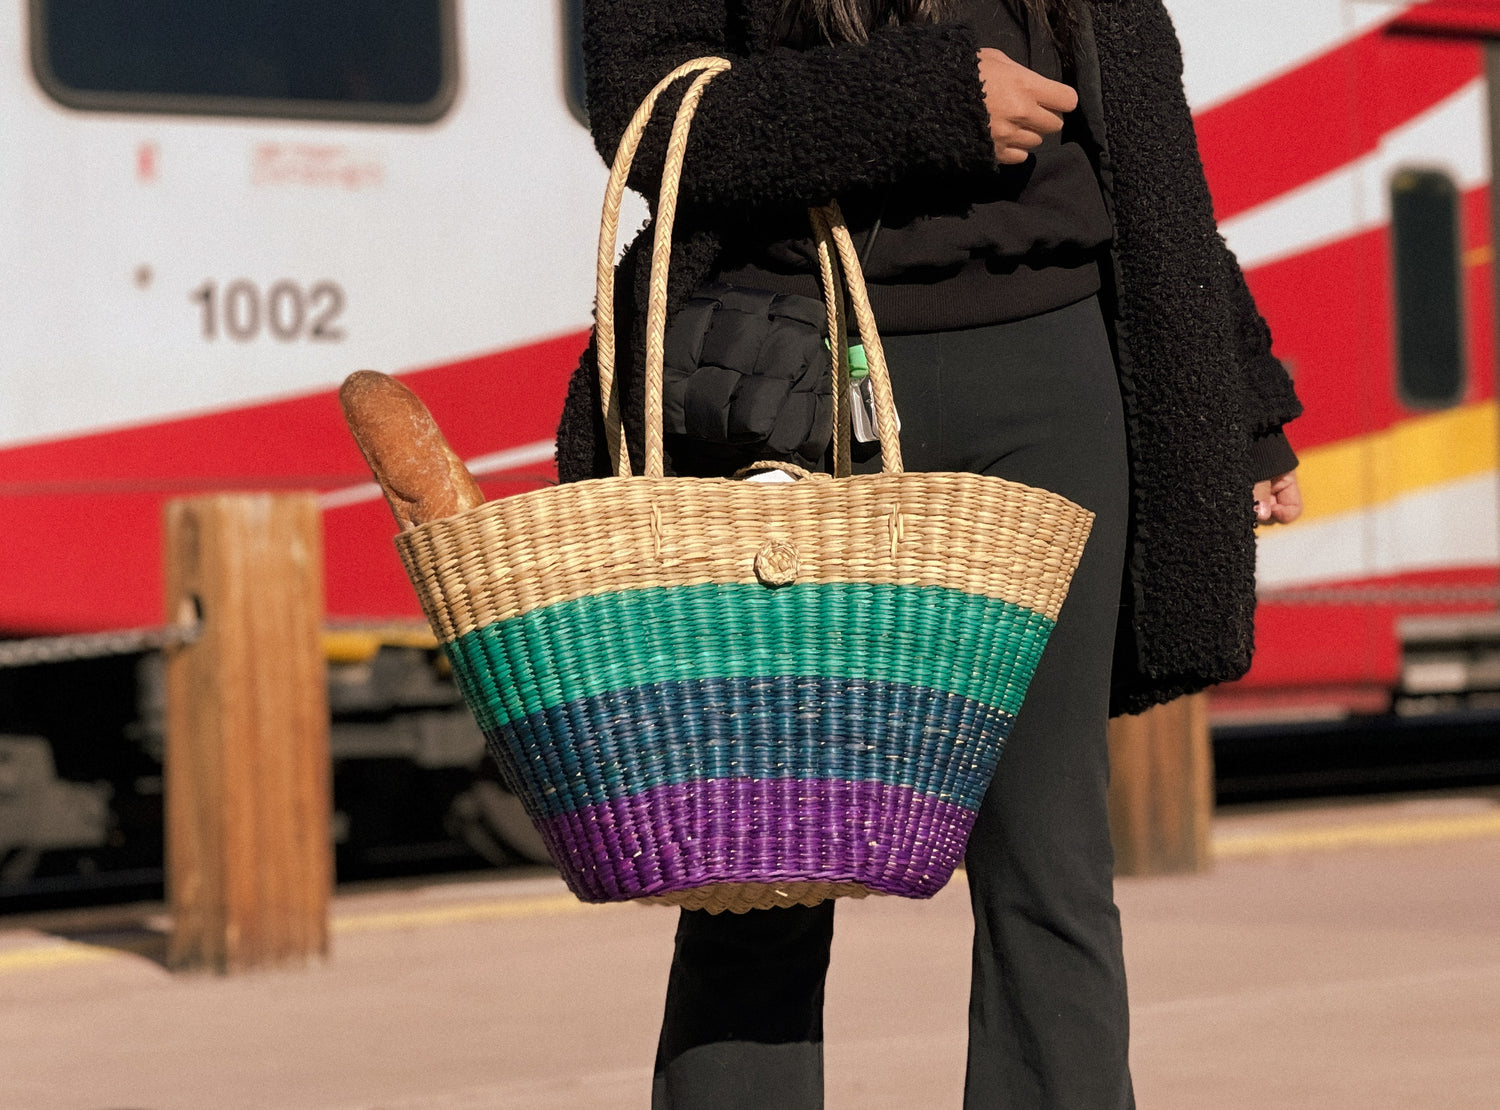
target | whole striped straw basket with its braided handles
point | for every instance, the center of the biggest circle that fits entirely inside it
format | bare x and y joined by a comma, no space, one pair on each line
734,695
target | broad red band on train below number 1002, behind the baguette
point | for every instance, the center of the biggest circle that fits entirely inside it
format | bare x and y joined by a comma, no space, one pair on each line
83,547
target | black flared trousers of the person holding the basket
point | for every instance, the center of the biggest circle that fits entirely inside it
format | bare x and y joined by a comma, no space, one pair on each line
1034,401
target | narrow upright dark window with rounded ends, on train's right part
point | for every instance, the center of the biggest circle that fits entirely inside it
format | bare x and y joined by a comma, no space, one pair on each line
1429,292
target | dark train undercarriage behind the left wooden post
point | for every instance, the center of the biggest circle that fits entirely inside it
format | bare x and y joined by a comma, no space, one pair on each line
82,748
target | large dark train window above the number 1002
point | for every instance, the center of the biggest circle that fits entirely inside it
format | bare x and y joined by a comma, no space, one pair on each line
389,61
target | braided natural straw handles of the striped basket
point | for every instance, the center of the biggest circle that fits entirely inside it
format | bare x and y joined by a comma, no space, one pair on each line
838,260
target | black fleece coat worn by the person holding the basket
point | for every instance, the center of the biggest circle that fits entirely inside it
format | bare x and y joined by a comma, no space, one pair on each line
785,130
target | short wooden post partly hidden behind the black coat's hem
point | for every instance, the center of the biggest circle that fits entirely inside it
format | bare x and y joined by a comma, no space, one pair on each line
1162,790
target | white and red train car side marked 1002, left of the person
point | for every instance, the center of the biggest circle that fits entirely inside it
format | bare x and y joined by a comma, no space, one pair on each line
215,212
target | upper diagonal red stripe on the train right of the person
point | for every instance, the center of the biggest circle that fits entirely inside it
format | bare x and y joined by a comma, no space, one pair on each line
1325,115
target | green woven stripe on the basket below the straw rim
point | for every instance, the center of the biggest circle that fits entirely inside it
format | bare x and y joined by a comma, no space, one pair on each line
592,646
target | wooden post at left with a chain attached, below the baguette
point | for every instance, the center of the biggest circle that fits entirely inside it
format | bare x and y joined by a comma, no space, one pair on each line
250,860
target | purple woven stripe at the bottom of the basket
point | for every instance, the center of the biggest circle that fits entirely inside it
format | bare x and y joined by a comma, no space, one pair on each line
892,839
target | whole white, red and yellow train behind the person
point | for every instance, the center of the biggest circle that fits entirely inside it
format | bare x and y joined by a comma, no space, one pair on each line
212,214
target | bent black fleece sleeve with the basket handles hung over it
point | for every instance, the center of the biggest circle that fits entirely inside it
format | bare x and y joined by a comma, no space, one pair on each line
787,127
